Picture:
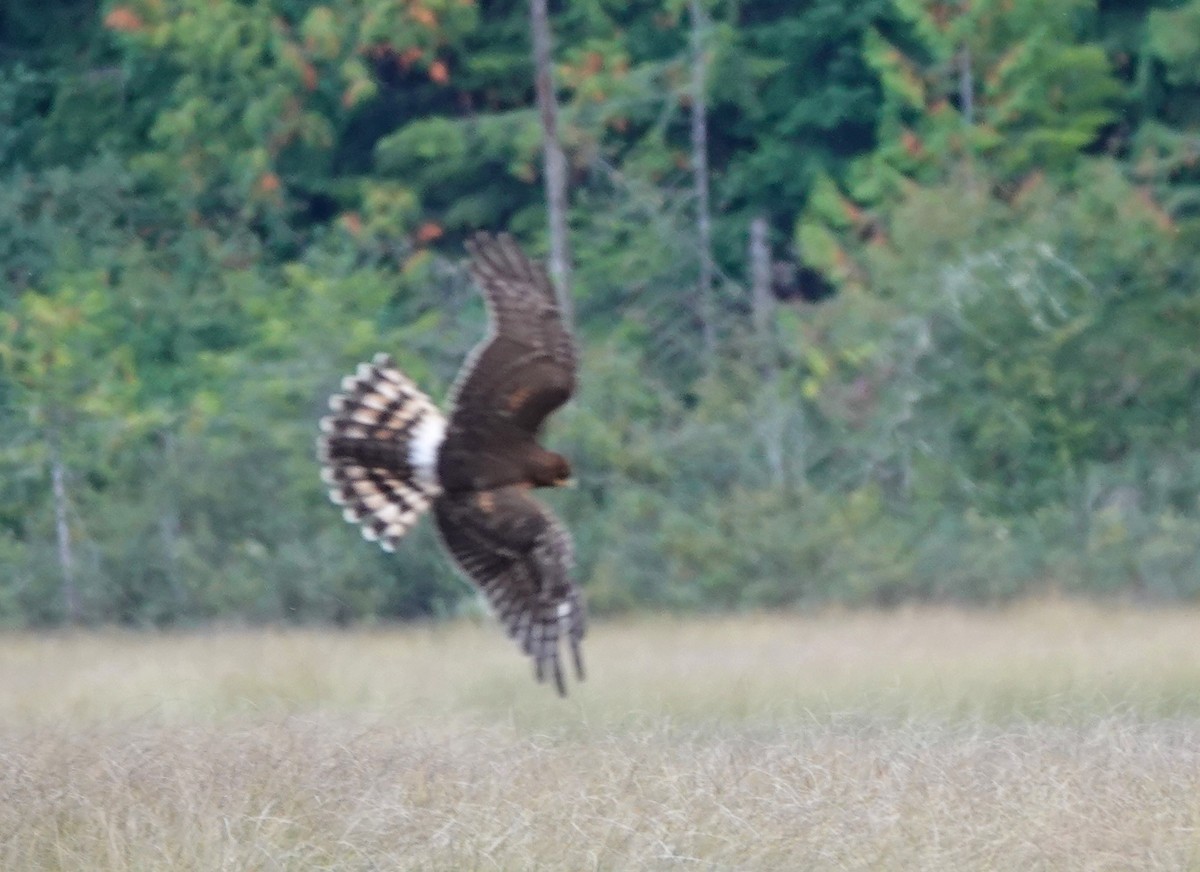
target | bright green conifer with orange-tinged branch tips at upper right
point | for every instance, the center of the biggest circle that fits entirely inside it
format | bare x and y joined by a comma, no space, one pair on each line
992,95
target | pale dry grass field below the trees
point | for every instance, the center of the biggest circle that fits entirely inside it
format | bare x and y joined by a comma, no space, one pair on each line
1051,736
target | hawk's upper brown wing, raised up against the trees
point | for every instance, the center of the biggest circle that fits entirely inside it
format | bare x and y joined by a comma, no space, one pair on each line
526,368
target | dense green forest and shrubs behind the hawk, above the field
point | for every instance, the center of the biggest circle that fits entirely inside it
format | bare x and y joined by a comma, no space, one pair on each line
977,371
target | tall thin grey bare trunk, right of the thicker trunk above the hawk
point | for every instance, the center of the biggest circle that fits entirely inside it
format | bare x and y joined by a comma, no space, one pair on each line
700,175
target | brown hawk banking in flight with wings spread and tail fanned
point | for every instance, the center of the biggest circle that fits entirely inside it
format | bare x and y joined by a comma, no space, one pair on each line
388,455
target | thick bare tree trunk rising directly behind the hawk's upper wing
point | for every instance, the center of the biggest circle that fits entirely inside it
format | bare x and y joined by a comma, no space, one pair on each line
553,155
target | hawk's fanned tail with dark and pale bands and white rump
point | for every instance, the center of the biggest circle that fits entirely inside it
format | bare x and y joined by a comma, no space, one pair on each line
379,452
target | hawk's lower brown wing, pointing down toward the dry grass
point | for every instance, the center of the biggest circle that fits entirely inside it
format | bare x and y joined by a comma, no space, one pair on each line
520,556
